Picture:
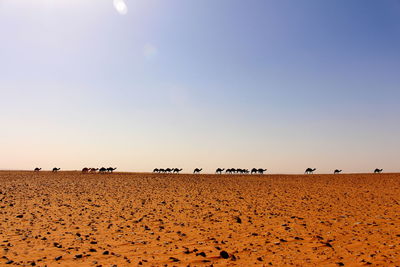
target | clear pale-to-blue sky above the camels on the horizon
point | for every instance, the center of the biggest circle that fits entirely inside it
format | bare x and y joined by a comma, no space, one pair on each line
283,84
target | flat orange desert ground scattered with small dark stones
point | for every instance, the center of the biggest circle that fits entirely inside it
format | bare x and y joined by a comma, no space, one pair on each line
130,219
